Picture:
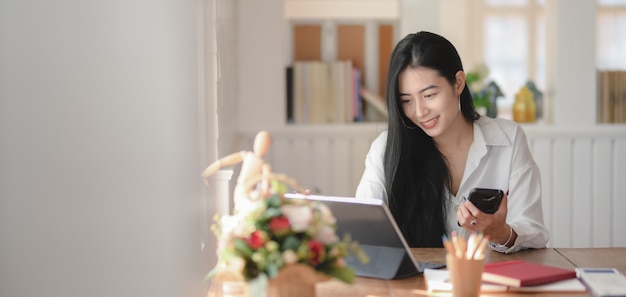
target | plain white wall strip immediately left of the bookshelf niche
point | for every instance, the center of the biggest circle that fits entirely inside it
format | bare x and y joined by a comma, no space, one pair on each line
261,69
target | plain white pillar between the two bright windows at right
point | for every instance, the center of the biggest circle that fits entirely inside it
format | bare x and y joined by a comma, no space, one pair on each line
572,62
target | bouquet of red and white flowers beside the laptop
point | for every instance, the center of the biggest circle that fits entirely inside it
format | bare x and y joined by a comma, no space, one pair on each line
276,231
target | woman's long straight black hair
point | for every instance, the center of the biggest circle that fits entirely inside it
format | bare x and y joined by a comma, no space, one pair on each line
416,173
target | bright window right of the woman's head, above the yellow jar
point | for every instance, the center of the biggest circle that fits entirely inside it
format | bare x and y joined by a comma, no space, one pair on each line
513,45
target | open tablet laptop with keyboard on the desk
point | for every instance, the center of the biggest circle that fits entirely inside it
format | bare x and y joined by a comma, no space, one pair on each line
370,223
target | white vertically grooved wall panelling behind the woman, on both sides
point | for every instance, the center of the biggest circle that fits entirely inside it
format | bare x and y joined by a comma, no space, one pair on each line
583,173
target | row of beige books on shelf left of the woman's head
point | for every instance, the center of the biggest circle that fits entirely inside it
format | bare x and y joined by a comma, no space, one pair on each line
323,92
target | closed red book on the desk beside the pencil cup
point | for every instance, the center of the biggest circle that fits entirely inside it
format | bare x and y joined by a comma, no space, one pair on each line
520,273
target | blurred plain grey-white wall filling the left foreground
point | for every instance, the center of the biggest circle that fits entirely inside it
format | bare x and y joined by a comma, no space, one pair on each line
100,151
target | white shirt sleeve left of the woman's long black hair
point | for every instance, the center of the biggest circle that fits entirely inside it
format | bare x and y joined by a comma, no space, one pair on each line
372,184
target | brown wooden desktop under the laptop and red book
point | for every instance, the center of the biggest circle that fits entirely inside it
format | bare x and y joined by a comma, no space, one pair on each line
568,258
